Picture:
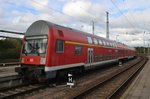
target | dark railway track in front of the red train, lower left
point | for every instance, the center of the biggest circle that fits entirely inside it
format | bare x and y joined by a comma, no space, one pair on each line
18,88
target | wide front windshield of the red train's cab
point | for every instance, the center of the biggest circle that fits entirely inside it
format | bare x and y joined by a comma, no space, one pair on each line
35,45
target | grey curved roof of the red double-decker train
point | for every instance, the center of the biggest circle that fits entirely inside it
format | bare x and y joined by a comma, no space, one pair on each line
41,27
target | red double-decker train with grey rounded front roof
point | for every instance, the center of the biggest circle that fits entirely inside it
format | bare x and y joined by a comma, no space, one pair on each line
49,48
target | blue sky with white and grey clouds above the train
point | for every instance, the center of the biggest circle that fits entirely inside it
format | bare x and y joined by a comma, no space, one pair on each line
128,19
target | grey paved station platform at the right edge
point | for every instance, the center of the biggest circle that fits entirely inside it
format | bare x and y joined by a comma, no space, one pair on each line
140,87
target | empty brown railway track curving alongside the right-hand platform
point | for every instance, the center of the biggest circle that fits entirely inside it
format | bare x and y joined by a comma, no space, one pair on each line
112,84
